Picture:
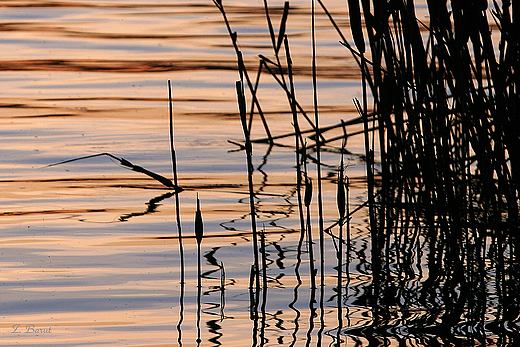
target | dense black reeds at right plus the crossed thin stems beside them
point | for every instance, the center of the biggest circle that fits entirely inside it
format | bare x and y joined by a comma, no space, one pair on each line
440,114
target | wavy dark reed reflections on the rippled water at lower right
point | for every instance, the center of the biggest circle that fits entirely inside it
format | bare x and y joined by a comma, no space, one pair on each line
435,289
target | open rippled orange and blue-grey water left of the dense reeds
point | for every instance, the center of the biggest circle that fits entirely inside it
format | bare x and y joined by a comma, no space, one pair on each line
89,251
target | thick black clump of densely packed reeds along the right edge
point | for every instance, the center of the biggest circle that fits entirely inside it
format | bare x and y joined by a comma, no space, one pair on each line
445,99
